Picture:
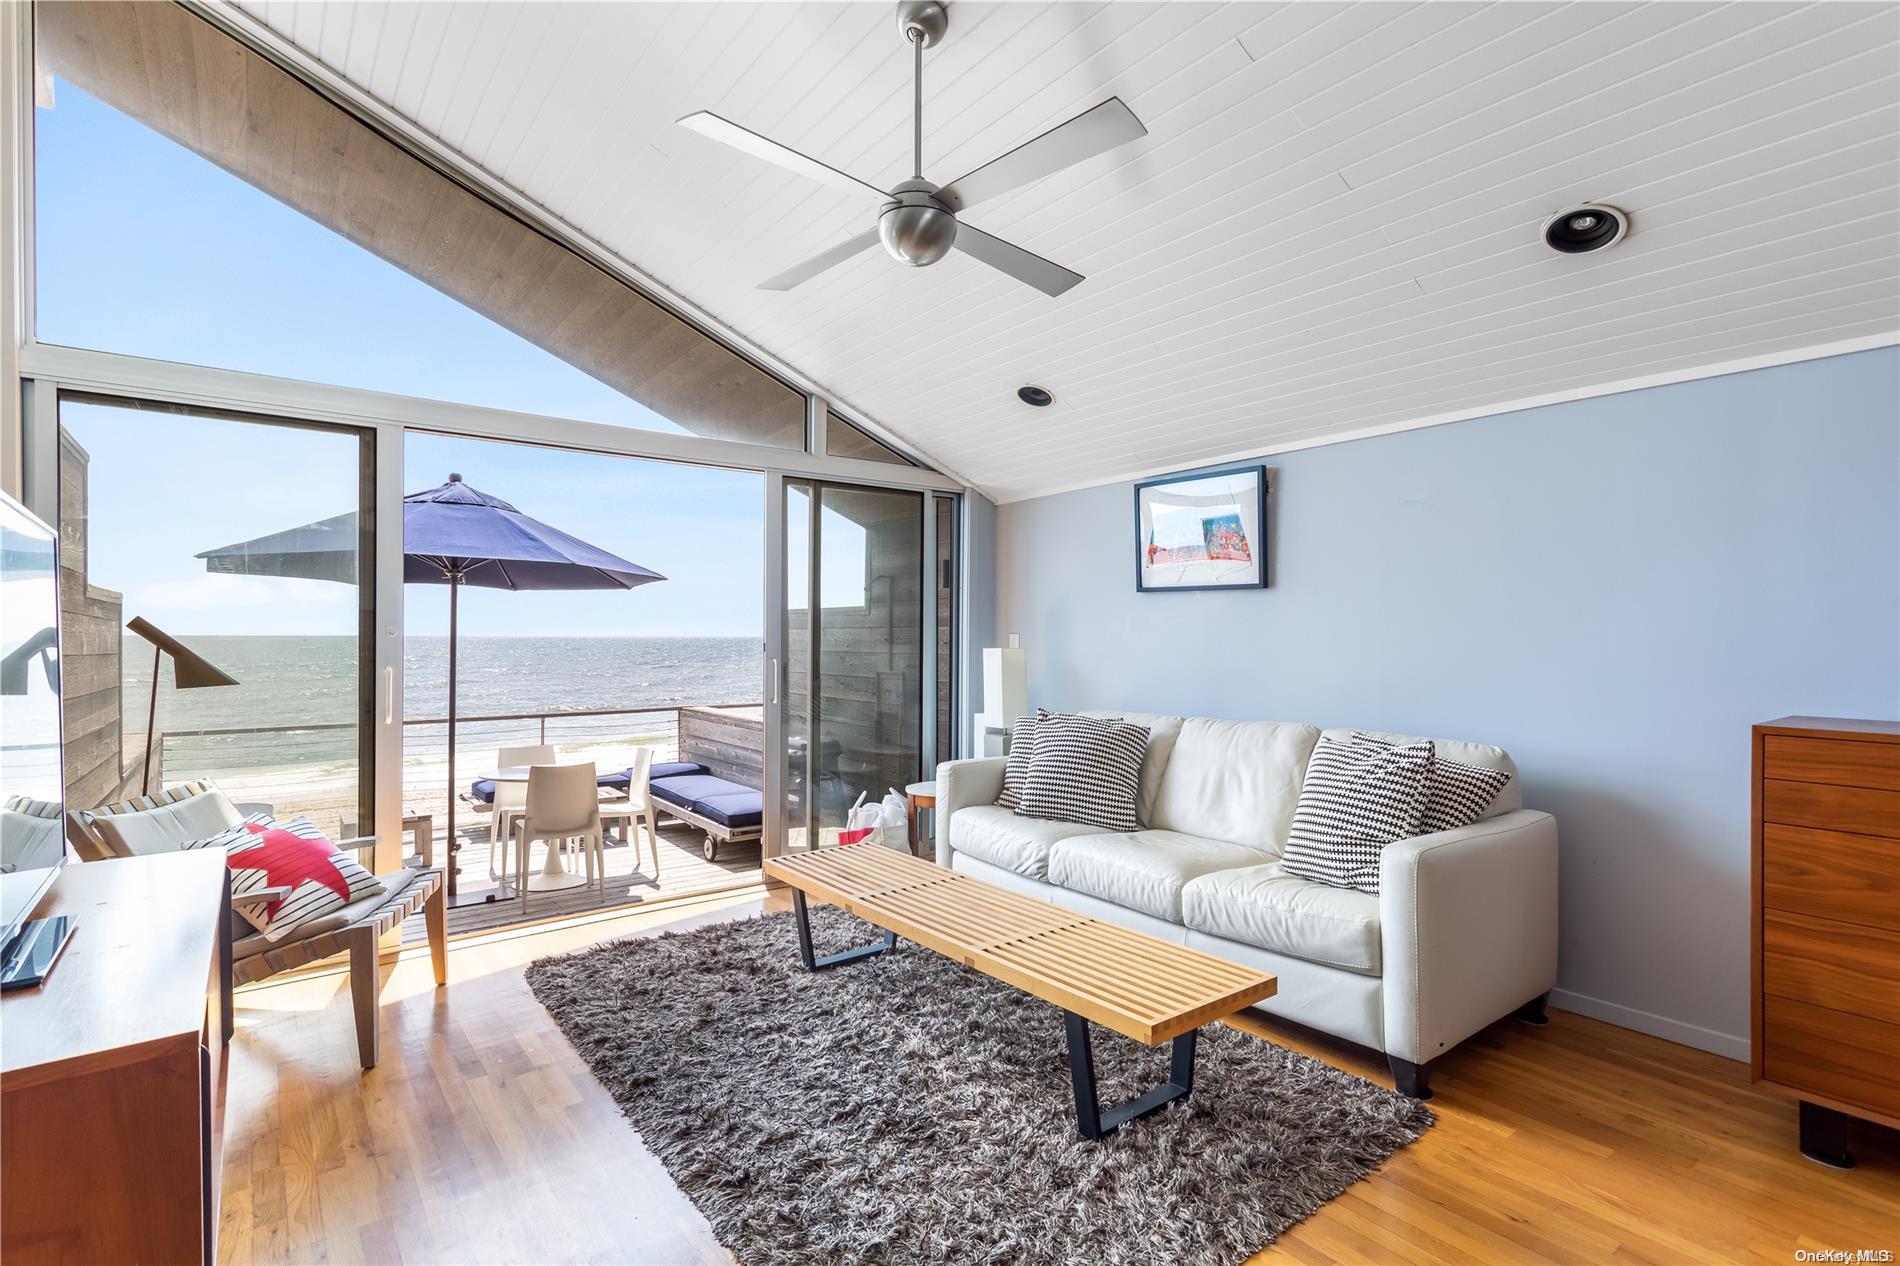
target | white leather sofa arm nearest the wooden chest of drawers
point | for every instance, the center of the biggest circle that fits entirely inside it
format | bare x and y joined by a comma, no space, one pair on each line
1468,923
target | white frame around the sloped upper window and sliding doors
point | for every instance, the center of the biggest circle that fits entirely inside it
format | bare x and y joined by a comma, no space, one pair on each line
29,451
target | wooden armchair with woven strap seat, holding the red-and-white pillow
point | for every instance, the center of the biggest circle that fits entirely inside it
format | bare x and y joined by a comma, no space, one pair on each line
178,816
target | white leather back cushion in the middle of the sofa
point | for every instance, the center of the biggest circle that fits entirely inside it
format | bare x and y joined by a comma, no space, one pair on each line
1234,780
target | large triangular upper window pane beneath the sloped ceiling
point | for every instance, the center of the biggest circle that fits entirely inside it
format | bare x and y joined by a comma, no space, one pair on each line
218,212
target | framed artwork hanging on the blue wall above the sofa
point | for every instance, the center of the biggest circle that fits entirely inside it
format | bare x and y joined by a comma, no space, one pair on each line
1202,531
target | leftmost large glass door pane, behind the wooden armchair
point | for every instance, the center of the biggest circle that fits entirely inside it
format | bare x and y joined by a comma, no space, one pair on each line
143,495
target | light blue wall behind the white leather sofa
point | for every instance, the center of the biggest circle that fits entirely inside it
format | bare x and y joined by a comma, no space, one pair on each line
1614,590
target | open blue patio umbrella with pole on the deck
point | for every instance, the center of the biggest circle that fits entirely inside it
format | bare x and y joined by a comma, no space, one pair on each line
453,537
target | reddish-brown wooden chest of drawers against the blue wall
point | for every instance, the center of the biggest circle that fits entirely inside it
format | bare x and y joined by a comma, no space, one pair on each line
1827,923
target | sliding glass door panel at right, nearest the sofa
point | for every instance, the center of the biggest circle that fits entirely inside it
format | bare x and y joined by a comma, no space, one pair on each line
848,697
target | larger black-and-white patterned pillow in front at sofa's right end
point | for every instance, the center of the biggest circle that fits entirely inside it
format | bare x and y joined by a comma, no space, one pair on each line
1358,797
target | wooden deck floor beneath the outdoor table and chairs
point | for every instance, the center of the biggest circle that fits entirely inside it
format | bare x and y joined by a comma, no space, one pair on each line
683,870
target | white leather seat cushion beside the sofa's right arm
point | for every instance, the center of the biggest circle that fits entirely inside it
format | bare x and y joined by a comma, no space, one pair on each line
1272,910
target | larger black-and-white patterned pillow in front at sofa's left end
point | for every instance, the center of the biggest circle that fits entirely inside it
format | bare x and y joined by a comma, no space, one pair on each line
1086,771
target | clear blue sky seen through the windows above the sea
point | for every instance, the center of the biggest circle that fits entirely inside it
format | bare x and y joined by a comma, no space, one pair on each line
149,250
